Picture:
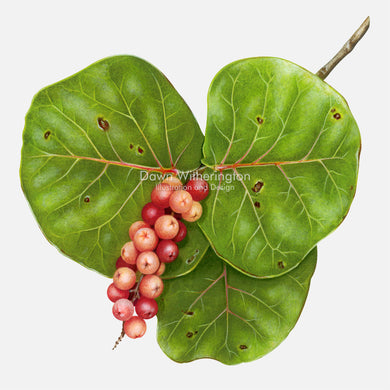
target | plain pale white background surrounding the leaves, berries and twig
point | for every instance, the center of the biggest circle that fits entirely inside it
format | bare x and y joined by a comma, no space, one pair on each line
56,324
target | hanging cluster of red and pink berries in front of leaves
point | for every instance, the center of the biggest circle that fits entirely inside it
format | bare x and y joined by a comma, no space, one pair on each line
136,282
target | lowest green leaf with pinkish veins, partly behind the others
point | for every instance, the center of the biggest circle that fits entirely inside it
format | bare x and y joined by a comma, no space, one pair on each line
218,312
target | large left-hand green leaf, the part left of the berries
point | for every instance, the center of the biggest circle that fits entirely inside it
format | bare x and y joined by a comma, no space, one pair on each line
87,143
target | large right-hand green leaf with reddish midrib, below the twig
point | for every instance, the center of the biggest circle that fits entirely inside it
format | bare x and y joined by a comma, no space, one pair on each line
282,149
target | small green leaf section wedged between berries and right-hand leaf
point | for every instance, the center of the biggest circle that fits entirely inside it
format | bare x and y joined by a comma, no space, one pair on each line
191,251
